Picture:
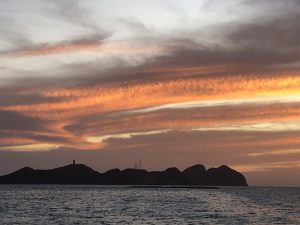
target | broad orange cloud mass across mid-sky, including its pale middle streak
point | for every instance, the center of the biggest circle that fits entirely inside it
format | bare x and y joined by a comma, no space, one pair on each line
244,100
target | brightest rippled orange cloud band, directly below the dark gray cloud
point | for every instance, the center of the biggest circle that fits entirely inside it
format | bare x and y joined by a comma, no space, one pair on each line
108,98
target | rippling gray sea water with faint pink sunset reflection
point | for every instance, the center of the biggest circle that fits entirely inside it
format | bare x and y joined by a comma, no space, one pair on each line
54,204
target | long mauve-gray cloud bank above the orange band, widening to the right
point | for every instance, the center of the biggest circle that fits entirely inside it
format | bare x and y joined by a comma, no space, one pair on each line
262,45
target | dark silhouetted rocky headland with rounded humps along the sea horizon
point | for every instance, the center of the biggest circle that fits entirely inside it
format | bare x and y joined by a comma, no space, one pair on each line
193,176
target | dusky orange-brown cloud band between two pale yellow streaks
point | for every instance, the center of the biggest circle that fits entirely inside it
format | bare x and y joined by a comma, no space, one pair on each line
238,117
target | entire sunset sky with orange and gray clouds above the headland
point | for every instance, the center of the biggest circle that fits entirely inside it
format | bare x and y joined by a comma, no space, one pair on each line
170,82
